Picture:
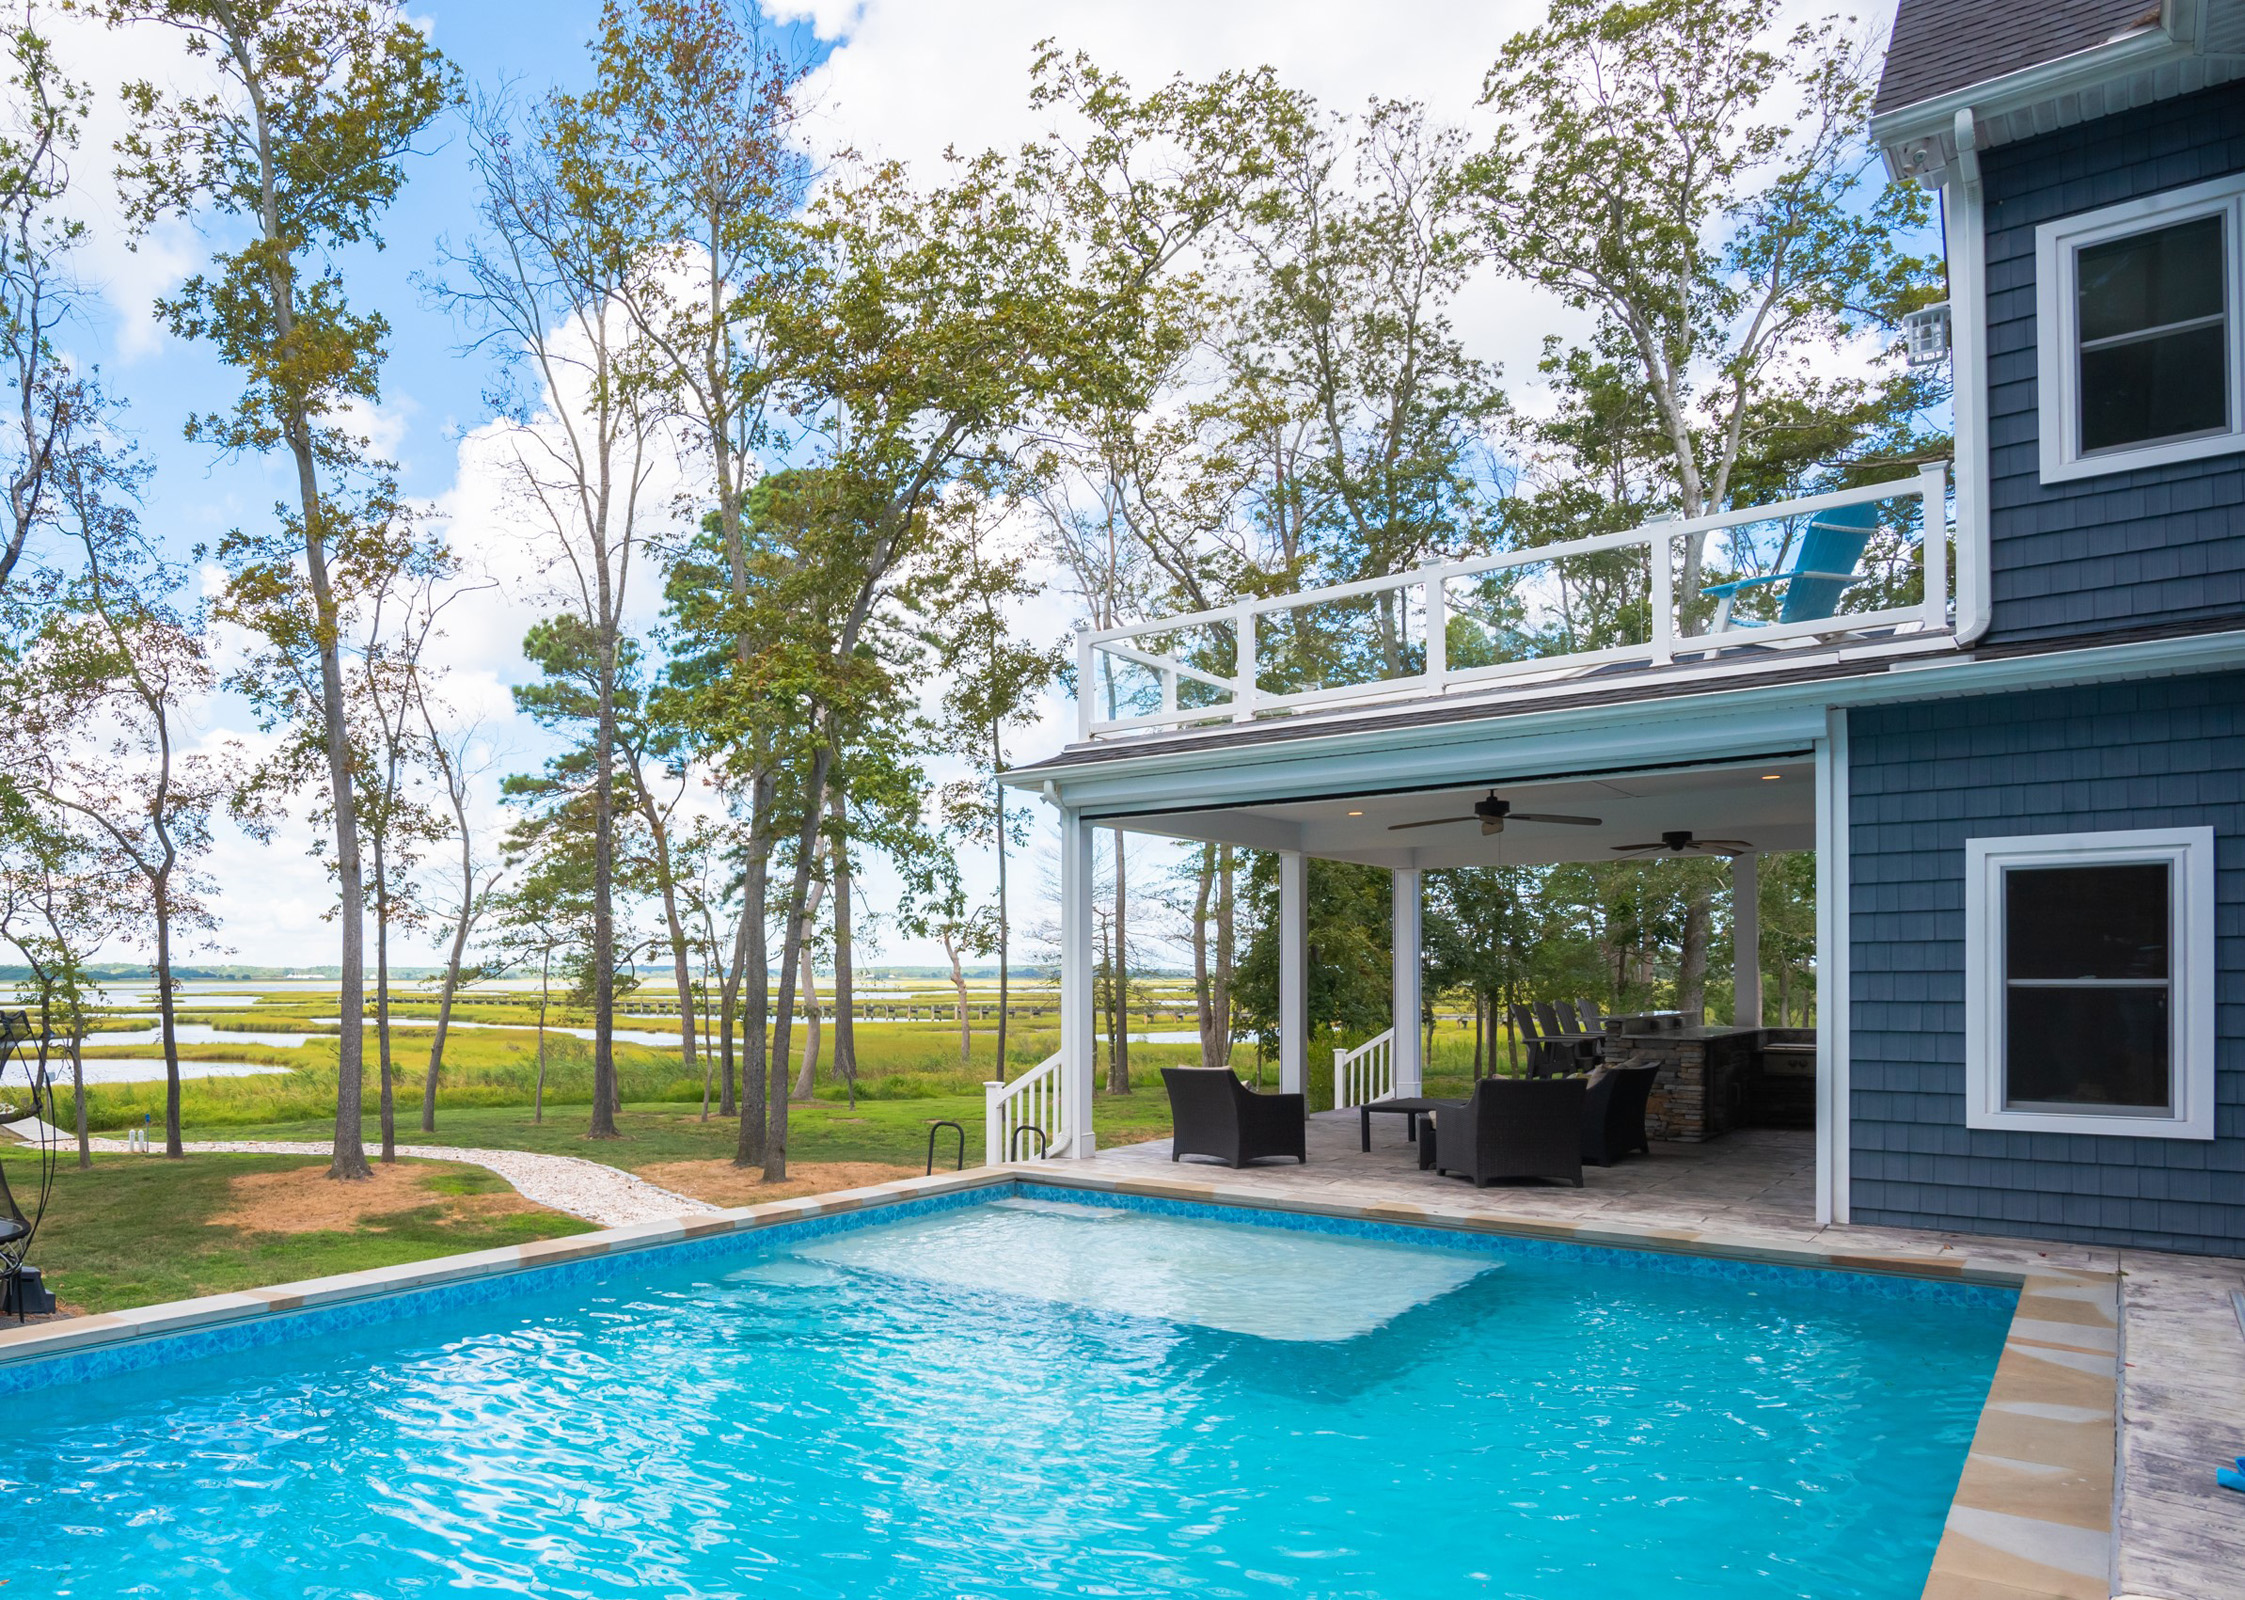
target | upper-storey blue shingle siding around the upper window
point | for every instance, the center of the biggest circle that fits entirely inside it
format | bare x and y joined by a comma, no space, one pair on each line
2134,549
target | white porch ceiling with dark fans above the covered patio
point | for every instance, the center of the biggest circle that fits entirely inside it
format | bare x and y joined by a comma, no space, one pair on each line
1770,804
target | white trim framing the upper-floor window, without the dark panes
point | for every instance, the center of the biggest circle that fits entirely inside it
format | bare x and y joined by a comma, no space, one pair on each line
2055,315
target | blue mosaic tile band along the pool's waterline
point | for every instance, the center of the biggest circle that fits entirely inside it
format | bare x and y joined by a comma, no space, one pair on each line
262,1318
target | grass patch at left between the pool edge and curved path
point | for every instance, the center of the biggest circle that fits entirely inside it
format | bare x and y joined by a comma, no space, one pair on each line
134,1231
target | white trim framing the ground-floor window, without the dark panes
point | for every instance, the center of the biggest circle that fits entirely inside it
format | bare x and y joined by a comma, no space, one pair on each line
2190,854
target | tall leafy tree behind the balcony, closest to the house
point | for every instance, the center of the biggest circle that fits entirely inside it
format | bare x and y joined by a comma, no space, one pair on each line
1698,185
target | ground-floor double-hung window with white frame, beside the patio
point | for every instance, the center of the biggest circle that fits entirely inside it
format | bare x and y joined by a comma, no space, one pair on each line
2091,984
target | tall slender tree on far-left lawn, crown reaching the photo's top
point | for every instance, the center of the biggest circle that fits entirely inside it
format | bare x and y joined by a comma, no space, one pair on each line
302,145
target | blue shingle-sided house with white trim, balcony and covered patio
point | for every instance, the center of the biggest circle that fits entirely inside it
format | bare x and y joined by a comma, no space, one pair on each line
2022,771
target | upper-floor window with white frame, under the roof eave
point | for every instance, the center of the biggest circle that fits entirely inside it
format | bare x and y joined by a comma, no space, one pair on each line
2143,331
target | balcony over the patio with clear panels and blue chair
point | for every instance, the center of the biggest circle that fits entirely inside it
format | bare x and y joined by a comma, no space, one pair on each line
1588,614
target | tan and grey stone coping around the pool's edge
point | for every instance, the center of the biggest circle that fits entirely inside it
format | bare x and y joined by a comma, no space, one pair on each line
2033,1514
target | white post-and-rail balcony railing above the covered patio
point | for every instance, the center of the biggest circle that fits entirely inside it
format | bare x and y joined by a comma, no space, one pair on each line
1418,609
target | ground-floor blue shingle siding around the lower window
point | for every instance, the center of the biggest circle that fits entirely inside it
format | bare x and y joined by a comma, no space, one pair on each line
2165,753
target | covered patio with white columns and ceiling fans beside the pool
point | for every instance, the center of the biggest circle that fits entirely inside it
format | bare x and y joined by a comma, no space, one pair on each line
1710,1141
